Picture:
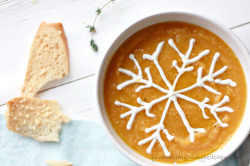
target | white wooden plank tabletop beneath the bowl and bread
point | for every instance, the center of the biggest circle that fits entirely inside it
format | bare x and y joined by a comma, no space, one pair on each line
19,21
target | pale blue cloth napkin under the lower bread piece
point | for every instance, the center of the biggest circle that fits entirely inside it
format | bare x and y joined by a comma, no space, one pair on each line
83,143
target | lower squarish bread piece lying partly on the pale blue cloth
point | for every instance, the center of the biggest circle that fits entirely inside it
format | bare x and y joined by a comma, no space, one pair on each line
36,118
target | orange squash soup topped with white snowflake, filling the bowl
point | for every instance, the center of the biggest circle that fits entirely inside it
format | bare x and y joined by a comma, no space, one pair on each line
175,92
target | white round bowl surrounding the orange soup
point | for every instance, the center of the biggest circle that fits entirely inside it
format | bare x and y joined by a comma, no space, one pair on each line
219,29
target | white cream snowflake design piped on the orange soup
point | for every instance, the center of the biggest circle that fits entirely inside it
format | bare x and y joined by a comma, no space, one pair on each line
171,95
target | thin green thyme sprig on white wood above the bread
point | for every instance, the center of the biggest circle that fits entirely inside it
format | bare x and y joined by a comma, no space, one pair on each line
92,28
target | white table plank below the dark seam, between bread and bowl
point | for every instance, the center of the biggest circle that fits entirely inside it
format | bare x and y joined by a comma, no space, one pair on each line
76,104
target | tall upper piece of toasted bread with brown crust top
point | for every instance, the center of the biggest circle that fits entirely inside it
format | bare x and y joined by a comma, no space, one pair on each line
48,59
